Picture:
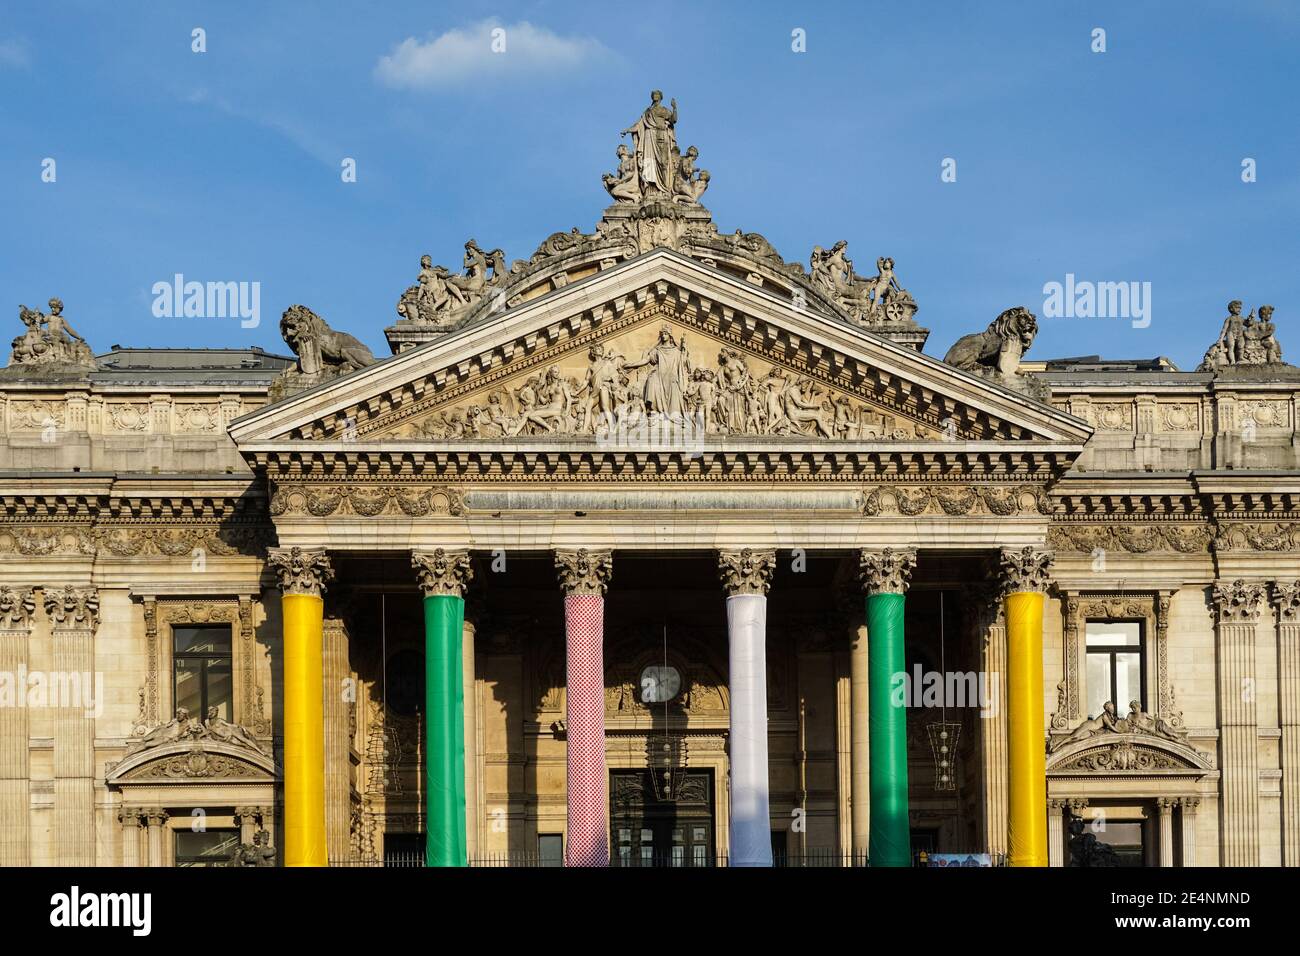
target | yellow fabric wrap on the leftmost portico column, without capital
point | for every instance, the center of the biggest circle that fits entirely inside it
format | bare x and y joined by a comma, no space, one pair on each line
305,733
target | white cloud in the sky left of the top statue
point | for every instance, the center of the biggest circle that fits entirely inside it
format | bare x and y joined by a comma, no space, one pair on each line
484,50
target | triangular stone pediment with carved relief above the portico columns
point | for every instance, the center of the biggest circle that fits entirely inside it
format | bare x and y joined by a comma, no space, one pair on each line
658,338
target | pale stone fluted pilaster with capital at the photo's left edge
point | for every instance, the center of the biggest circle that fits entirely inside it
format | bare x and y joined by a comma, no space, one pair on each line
18,605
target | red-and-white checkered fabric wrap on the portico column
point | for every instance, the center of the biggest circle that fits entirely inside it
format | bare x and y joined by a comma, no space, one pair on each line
584,634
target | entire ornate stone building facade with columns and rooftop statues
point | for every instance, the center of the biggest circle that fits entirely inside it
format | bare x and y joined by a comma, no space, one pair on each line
653,548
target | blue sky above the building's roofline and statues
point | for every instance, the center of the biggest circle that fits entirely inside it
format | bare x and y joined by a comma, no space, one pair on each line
226,166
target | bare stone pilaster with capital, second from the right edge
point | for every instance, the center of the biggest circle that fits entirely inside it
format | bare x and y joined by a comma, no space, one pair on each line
1238,611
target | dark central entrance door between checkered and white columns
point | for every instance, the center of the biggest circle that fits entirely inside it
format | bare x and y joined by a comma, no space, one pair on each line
649,830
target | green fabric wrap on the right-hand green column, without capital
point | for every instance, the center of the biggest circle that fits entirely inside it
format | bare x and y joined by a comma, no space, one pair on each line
891,840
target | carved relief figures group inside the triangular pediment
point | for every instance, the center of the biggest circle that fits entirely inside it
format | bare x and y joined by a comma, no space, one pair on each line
662,387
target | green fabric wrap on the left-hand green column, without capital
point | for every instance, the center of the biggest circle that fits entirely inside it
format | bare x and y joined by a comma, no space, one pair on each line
445,732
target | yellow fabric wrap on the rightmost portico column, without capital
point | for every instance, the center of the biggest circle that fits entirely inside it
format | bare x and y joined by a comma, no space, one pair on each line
1028,829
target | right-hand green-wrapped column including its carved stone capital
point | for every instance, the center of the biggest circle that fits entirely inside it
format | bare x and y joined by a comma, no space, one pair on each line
886,577
